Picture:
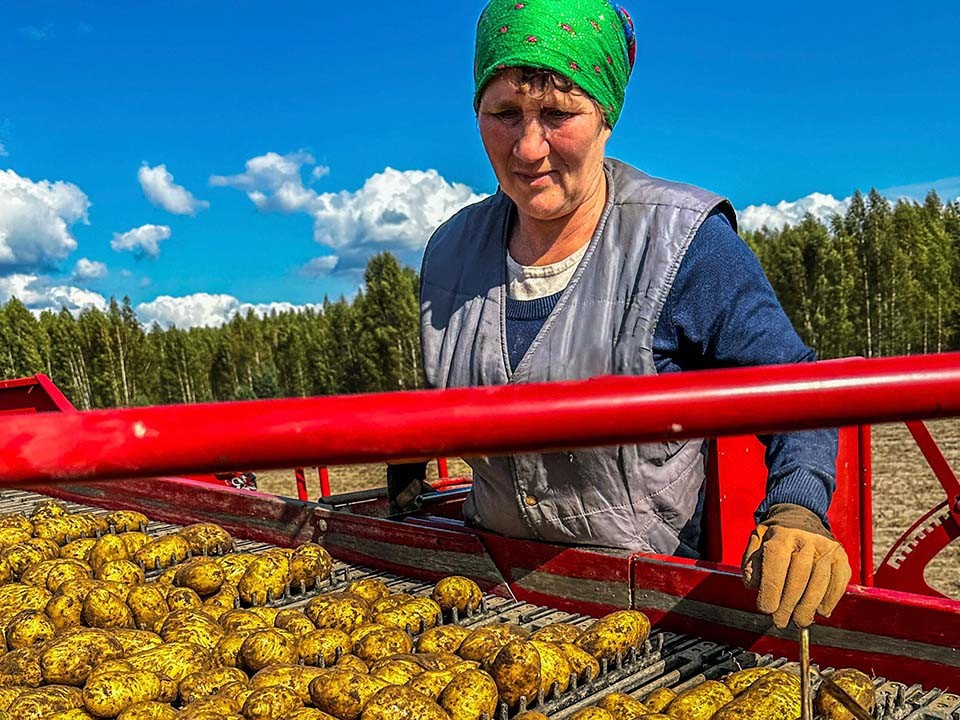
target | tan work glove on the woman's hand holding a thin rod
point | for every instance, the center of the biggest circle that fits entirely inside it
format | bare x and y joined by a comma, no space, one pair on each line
797,565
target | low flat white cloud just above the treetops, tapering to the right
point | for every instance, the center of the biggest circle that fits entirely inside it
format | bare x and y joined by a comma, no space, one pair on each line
205,309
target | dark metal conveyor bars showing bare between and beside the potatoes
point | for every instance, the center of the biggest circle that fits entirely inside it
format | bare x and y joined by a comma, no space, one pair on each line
666,659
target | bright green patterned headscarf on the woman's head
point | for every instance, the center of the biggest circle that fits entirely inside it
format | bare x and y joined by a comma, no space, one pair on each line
588,41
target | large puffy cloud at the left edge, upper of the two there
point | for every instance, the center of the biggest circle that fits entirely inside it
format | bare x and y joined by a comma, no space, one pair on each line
35,220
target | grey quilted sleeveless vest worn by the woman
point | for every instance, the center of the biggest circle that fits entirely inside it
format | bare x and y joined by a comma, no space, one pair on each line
635,497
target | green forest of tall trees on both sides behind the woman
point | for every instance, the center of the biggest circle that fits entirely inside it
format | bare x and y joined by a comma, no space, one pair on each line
880,280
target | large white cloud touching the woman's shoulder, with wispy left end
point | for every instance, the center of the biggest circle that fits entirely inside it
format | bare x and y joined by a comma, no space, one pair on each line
394,210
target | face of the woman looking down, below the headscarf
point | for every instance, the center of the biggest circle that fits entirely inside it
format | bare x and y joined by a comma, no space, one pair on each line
547,151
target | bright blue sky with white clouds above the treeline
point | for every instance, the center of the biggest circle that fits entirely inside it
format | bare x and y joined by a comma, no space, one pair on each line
763,102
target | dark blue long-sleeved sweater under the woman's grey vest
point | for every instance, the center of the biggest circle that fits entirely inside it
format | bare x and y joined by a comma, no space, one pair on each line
722,312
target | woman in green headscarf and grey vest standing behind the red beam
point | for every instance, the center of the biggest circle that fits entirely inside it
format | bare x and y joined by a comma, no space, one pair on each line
582,266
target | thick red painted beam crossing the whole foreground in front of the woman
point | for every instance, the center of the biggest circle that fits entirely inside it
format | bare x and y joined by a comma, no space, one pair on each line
513,418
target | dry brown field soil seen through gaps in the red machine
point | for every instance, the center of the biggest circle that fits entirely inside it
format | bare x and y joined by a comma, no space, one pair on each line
904,488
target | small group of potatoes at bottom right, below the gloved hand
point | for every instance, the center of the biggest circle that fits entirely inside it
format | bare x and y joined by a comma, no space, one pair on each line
759,693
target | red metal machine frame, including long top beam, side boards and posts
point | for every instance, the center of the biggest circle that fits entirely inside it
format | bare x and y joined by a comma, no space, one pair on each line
913,636
